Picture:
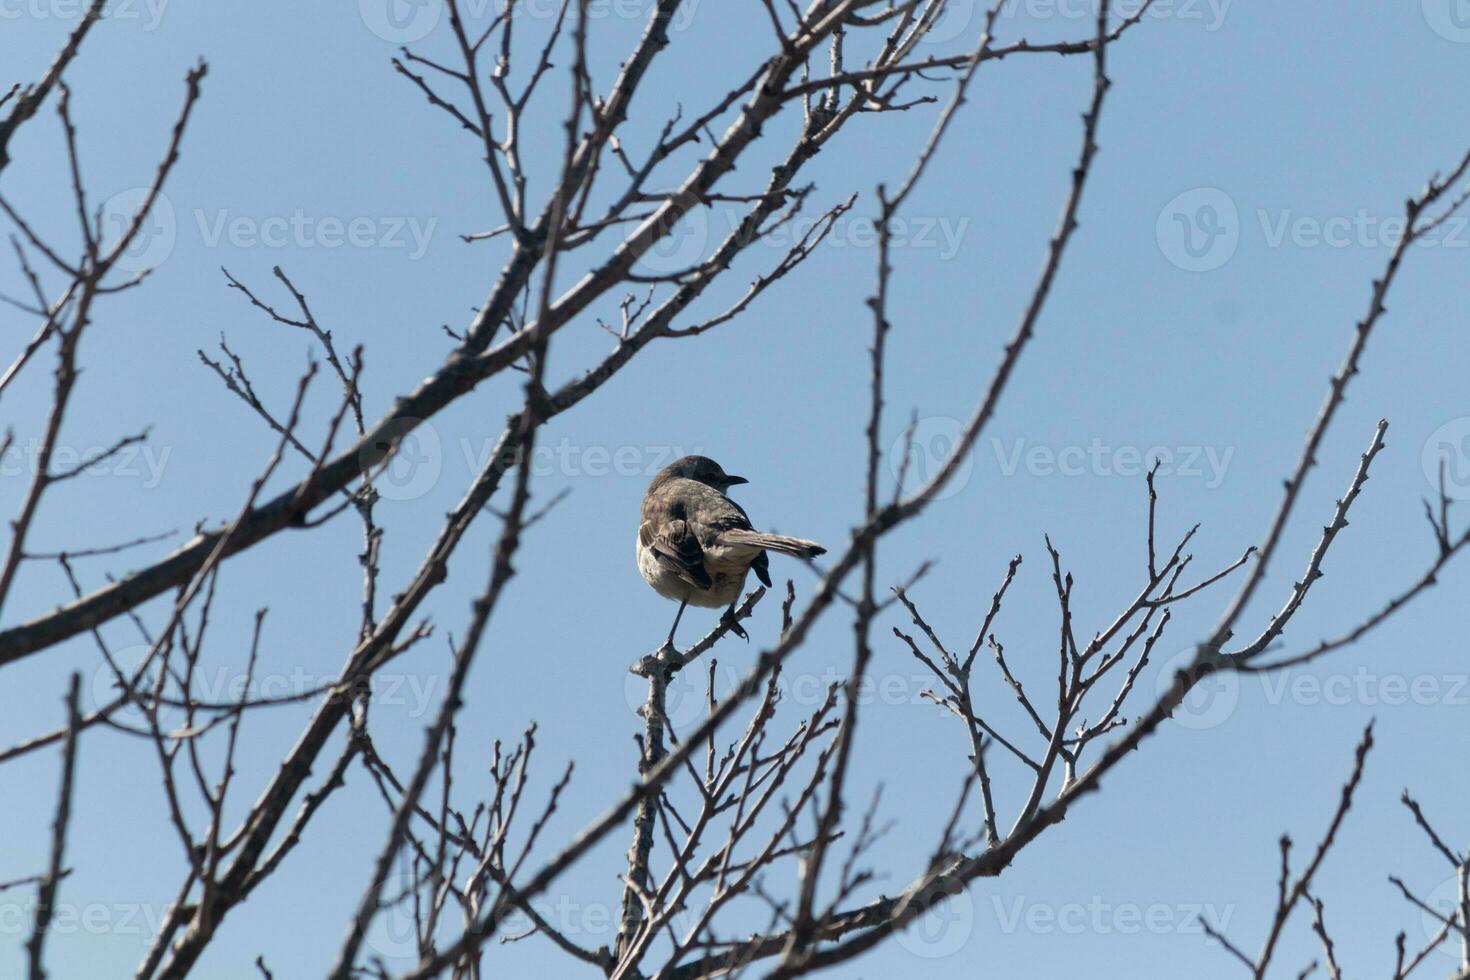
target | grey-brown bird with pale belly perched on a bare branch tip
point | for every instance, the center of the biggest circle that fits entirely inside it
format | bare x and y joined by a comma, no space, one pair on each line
696,544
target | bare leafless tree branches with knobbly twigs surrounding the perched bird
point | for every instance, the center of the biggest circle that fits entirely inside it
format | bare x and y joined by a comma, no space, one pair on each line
717,810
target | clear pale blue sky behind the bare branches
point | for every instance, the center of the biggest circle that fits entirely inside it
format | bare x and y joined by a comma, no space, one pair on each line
1280,136
